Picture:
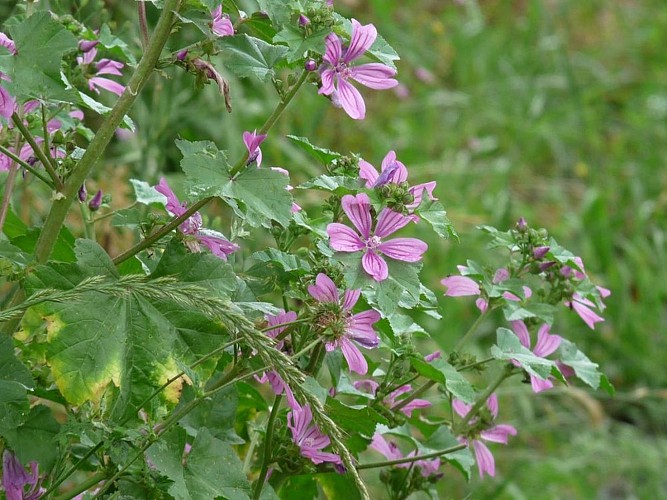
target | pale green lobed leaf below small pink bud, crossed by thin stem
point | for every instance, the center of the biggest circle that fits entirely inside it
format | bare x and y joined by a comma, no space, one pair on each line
262,192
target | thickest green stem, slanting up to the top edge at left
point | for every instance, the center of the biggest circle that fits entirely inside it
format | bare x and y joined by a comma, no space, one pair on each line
98,145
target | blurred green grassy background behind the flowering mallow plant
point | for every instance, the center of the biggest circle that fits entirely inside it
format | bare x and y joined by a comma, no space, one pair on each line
555,110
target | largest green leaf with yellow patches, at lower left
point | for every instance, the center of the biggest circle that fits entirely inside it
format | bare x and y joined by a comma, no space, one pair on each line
131,342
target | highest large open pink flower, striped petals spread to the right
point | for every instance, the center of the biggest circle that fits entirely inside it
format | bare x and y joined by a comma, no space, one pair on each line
336,70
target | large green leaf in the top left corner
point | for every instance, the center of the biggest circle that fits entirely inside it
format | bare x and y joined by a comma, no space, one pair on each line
35,70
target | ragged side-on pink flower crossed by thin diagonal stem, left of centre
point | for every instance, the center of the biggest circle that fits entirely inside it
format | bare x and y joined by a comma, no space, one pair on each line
218,246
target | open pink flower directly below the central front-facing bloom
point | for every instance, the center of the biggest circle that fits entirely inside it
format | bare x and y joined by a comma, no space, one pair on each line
346,327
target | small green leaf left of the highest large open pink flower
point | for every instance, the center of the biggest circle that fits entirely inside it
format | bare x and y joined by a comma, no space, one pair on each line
246,56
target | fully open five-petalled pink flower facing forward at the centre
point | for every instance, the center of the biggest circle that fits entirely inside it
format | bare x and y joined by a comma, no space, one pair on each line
344,239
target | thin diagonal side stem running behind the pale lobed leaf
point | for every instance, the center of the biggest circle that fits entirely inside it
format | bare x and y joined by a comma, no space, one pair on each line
240,165
